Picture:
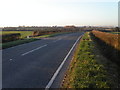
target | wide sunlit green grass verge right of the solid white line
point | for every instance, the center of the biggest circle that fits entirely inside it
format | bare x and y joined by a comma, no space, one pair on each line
85,71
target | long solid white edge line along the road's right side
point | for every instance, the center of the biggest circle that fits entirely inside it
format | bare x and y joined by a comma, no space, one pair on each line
61,65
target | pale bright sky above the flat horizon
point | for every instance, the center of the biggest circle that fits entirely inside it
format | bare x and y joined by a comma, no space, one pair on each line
58,12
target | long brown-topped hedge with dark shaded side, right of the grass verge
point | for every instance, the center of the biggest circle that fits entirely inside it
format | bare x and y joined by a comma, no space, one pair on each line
109,45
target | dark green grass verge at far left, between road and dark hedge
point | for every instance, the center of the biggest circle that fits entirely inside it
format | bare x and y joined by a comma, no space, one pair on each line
17,42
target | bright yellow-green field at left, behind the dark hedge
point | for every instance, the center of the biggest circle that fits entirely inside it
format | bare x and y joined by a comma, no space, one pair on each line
23,33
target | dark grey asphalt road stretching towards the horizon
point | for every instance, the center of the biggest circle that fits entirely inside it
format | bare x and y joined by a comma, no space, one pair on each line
32,65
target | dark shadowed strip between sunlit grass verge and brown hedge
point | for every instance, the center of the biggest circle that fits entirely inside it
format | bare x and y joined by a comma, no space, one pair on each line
113,69
